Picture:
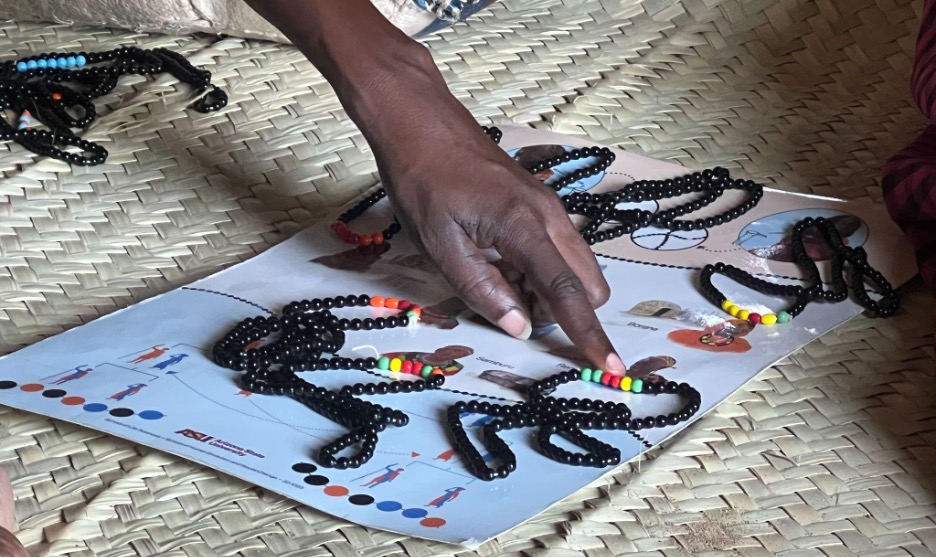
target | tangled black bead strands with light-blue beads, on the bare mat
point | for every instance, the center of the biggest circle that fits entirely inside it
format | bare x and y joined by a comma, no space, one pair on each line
51,93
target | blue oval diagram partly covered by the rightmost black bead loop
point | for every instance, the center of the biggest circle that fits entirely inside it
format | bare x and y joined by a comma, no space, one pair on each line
770,237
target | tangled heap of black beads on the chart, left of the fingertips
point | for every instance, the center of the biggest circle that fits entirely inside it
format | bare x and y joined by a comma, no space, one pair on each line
307,332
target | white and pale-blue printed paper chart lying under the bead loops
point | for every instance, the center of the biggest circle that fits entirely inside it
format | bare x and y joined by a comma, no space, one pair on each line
145,373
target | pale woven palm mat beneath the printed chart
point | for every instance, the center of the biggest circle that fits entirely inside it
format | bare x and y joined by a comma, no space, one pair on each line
828,453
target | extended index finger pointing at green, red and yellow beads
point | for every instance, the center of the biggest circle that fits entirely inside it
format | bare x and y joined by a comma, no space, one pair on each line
556,283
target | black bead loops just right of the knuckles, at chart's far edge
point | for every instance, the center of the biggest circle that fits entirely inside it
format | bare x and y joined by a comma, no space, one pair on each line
602,209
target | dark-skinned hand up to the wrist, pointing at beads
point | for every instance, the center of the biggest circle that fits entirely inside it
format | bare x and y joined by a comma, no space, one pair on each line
458,194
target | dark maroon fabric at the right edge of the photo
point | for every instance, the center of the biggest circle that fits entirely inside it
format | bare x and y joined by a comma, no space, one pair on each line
909,179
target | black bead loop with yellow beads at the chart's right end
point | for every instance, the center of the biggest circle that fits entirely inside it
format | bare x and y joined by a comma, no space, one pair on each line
856,258
